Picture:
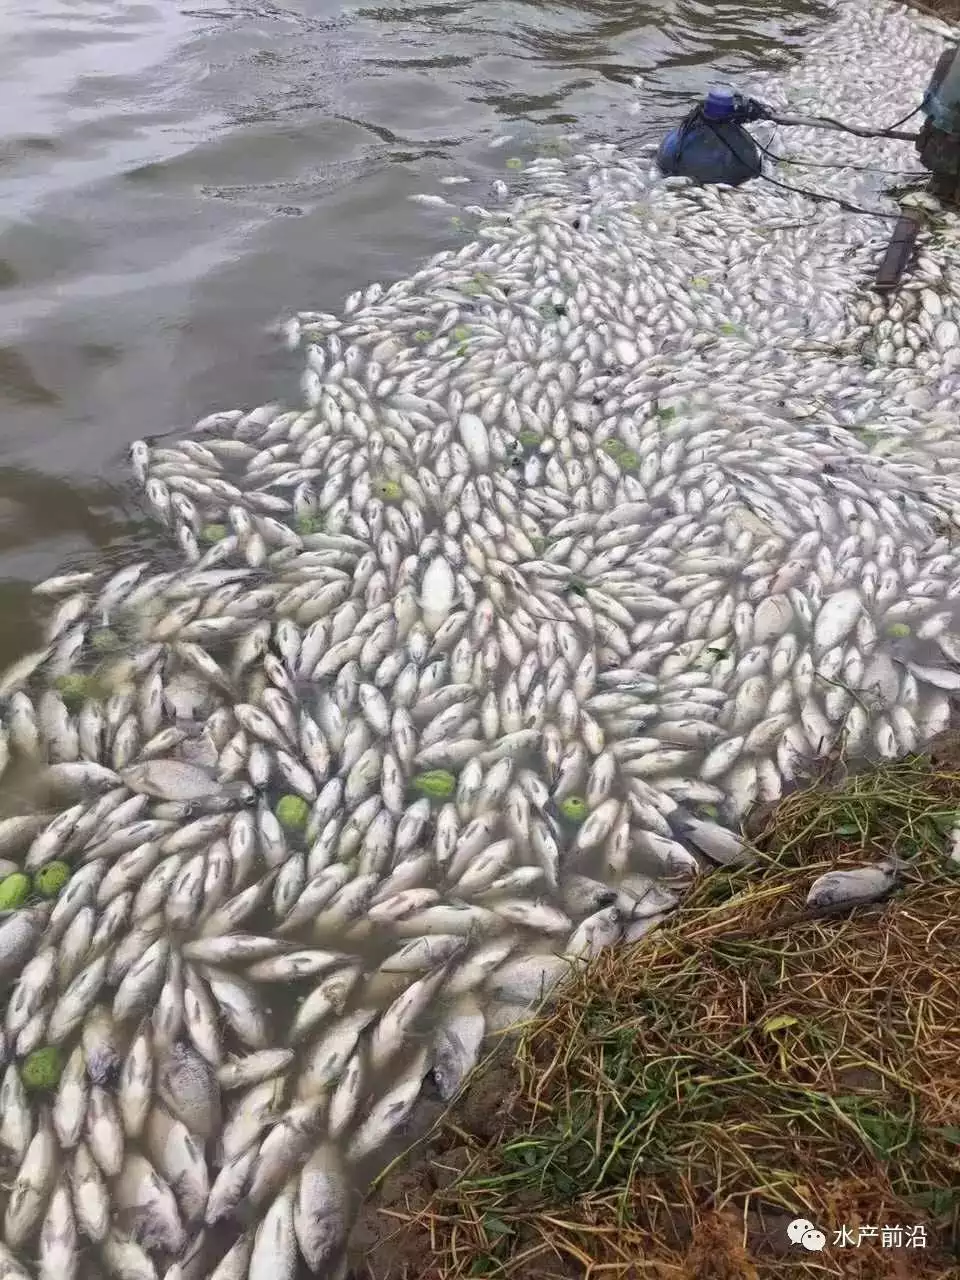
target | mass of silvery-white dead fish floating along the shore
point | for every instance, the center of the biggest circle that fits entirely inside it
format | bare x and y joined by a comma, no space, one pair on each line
591,534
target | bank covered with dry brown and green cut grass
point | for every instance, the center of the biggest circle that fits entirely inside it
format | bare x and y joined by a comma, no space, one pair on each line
744,1067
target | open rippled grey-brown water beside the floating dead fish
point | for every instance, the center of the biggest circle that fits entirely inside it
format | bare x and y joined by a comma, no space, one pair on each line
176,177
